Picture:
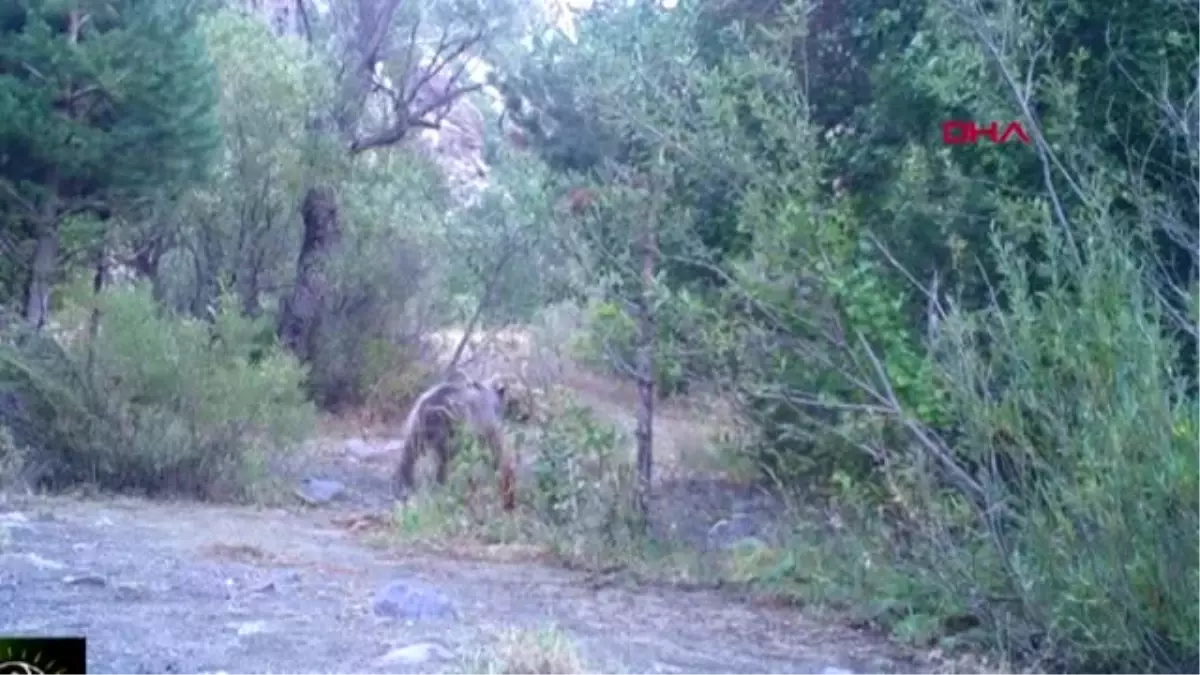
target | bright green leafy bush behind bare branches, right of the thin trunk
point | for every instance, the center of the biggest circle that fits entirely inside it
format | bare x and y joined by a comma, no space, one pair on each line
821,306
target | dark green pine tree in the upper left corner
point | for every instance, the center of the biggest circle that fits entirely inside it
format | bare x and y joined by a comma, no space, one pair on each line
100,103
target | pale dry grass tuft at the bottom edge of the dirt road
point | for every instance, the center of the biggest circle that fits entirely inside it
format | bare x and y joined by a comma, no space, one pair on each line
527,653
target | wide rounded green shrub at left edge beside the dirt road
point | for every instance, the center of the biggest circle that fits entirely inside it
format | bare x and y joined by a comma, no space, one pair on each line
155,403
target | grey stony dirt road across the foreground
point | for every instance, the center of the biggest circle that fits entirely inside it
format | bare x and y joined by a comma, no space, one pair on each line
161,588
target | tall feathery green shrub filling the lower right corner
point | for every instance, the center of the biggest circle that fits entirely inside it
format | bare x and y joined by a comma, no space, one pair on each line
1071,529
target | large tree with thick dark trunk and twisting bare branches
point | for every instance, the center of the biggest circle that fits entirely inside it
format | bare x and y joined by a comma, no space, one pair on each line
403,68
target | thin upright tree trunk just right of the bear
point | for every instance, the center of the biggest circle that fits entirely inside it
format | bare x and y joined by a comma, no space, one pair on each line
645,373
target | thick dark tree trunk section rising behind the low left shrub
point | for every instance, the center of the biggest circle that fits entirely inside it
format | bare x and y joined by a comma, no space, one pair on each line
322,234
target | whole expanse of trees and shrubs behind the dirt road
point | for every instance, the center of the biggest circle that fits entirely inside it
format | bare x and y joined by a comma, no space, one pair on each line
981,357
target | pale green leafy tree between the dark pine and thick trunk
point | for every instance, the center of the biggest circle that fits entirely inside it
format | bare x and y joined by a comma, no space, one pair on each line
239,228
